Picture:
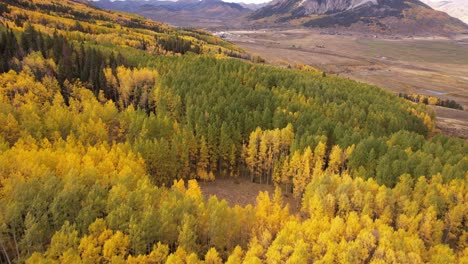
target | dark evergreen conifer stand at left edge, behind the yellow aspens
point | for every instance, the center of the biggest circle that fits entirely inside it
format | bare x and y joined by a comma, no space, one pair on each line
55,56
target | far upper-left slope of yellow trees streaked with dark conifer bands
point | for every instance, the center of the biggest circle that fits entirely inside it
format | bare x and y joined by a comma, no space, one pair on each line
88,25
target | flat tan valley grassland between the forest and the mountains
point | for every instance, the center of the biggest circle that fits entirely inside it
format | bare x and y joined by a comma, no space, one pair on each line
430,66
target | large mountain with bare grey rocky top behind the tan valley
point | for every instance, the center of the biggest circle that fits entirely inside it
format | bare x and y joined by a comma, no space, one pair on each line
383,16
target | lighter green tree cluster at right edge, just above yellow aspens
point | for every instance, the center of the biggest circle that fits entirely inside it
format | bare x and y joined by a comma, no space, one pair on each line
385,159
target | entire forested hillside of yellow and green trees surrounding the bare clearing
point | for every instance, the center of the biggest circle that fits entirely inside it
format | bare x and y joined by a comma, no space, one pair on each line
105,128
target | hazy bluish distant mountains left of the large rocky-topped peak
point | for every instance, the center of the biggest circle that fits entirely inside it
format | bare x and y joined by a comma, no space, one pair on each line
185,13
